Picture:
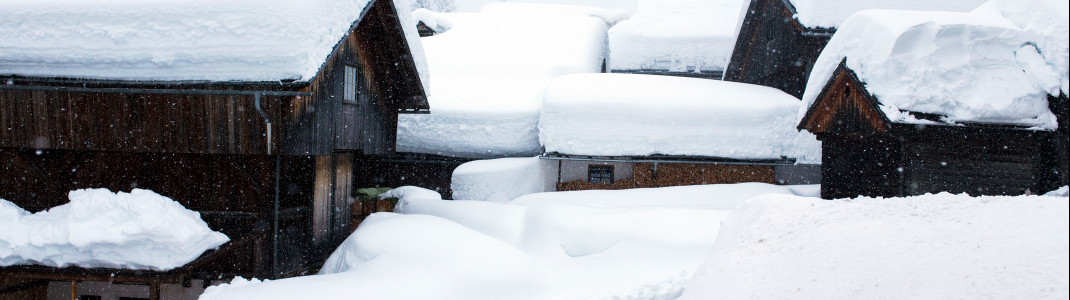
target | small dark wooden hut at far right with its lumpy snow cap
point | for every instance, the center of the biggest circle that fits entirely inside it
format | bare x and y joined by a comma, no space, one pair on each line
926,102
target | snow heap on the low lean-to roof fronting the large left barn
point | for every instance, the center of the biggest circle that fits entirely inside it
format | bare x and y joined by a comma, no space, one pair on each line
141,230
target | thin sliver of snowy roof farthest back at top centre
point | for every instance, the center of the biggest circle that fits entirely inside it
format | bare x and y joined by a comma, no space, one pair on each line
612,17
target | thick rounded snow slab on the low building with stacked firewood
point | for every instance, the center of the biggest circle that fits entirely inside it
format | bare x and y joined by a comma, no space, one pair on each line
643,115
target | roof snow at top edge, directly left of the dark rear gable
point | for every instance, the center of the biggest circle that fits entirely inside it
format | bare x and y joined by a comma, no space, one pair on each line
677,36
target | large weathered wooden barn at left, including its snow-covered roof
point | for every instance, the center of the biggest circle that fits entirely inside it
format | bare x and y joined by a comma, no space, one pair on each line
252,114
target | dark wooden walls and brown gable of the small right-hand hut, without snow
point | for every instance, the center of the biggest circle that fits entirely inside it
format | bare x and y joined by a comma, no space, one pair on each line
864,154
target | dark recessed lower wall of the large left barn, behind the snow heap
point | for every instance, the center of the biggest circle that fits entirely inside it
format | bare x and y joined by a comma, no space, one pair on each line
235,194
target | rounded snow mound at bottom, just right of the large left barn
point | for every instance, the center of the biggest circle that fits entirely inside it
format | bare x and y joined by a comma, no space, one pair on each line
399,257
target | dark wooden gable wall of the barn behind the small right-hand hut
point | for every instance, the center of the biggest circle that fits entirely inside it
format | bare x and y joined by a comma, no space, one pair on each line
774,50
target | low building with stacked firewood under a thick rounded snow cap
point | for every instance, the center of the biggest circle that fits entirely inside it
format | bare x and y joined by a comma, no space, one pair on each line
638,131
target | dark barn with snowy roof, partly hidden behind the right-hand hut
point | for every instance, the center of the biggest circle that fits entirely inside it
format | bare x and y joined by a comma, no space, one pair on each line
778,42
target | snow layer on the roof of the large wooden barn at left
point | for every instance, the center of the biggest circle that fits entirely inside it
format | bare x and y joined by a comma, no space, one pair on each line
177,40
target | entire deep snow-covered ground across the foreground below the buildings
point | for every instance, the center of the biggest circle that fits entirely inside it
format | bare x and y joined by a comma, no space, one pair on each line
777,243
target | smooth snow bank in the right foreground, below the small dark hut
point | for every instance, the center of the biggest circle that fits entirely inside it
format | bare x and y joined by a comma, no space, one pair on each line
931,247
